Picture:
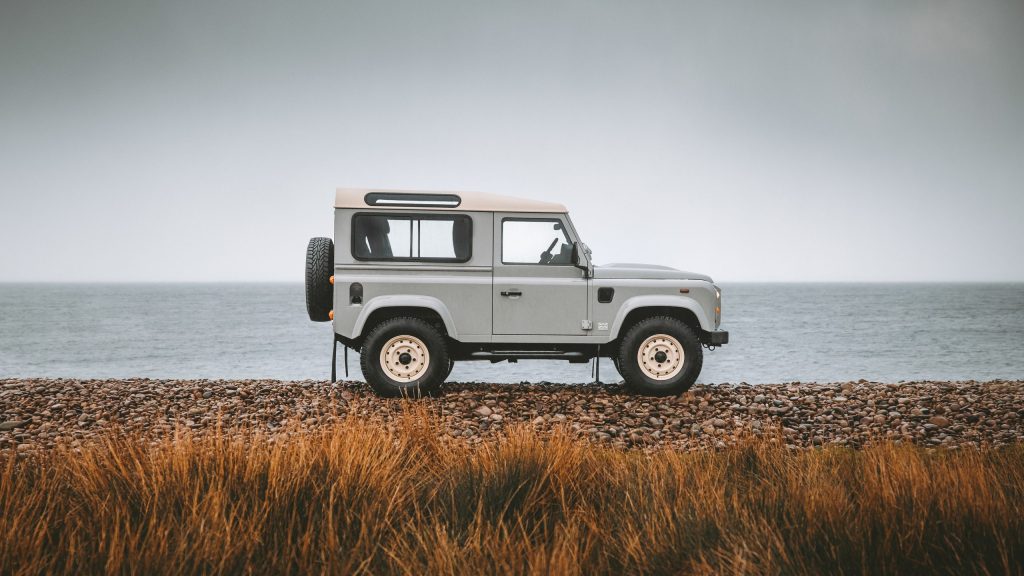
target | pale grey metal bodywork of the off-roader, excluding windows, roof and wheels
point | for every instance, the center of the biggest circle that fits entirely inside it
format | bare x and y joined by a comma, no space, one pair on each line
463,295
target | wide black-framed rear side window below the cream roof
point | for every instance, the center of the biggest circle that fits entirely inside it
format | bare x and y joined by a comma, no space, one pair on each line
442,238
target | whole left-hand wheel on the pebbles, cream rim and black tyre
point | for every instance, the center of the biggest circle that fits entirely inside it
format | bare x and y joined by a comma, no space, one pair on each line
405,357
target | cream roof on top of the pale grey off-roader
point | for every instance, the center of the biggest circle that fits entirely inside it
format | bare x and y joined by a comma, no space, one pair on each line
468,201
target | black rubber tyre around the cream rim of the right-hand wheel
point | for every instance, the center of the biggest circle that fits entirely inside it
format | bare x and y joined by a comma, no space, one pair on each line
634,375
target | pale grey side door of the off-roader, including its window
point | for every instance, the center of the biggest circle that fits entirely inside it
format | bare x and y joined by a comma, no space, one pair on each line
537,291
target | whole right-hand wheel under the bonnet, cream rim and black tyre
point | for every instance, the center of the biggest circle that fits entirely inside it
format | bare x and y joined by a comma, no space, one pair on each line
660,356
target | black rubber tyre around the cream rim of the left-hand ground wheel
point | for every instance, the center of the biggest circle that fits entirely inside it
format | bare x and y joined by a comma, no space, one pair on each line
383,383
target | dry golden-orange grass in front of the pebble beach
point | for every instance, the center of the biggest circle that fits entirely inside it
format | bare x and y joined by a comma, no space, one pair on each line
363,500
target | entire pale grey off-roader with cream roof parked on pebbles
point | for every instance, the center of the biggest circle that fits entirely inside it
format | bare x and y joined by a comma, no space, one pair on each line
417,281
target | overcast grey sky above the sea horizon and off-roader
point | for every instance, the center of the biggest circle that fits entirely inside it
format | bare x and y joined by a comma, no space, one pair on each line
750,141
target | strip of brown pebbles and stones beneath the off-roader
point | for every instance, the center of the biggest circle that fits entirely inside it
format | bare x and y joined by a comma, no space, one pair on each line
38,415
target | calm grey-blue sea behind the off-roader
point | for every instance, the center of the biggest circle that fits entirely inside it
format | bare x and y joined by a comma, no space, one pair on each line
778,333
